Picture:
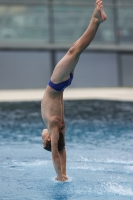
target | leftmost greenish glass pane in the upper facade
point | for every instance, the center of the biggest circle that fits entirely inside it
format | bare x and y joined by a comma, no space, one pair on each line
24,22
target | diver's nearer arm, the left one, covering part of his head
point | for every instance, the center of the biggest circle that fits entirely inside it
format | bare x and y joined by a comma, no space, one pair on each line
55,154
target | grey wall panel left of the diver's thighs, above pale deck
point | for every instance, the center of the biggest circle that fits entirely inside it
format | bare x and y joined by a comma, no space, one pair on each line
21,70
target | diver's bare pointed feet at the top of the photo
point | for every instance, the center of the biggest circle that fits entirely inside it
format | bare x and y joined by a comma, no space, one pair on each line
99,13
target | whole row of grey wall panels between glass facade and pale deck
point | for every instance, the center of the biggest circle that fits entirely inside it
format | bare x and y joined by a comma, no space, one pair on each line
29,70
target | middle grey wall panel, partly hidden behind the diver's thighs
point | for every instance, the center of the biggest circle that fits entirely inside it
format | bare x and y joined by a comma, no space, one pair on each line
95,70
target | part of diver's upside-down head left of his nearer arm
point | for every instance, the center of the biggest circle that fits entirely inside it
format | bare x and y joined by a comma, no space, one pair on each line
46,140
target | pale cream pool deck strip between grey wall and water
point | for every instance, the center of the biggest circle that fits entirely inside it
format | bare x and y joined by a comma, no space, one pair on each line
116,94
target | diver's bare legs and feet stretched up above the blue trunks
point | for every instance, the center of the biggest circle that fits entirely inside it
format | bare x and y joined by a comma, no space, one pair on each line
67,64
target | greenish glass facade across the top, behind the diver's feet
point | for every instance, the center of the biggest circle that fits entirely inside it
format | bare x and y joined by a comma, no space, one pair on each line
58,21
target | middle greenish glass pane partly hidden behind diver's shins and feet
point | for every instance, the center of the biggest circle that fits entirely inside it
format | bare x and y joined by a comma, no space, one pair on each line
71,21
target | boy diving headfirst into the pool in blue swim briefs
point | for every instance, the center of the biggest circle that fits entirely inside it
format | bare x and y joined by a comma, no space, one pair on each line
52,106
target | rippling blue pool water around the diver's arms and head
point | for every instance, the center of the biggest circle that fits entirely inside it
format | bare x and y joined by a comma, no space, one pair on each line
99,144
